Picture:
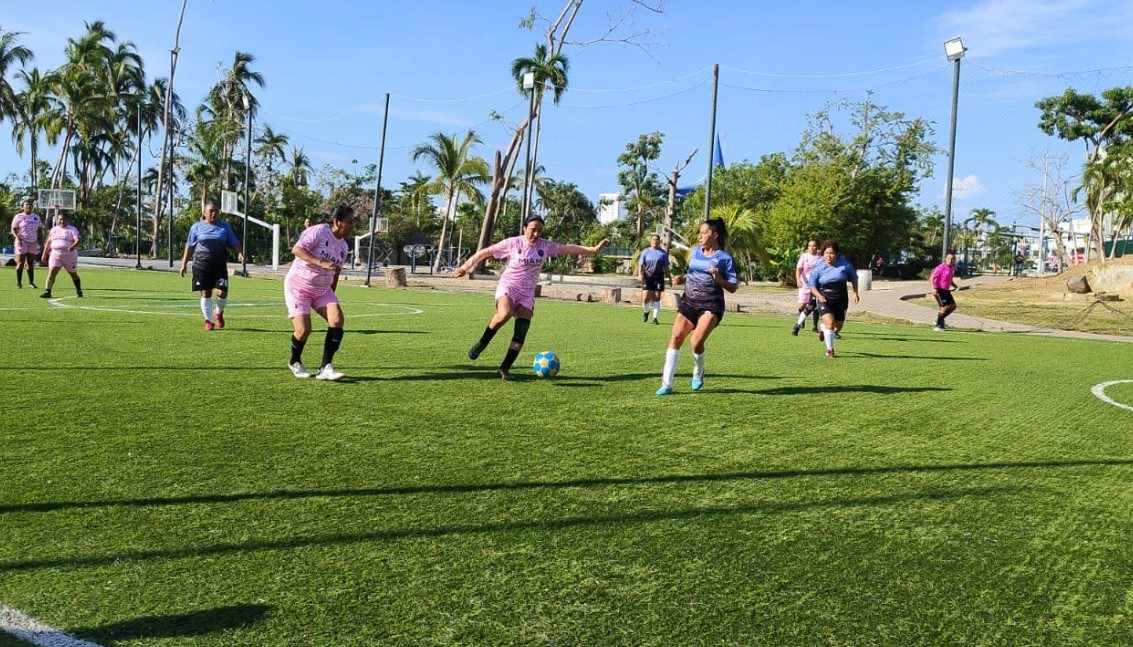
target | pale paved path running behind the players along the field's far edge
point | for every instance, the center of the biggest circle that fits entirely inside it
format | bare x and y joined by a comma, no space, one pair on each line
887,299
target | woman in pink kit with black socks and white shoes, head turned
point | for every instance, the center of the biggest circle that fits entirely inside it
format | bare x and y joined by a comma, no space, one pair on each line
310,286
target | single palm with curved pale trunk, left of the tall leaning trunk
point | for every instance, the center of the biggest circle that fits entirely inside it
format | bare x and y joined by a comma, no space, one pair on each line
457,173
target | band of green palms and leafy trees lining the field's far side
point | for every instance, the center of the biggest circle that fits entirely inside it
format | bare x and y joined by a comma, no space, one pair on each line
84,125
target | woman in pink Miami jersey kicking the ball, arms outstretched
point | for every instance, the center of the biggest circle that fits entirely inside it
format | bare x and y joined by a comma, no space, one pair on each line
516,292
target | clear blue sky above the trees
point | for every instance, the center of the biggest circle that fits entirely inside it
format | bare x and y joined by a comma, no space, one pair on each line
446,64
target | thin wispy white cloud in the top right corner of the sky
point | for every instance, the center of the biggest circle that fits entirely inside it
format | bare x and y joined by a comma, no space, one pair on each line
996,28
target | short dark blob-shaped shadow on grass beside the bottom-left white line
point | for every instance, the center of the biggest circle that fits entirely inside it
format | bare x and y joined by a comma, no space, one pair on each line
183,625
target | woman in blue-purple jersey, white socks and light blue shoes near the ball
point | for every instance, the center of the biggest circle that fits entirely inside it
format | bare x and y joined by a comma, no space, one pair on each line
712,270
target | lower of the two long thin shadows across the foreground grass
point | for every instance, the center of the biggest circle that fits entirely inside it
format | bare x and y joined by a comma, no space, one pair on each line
542,525
